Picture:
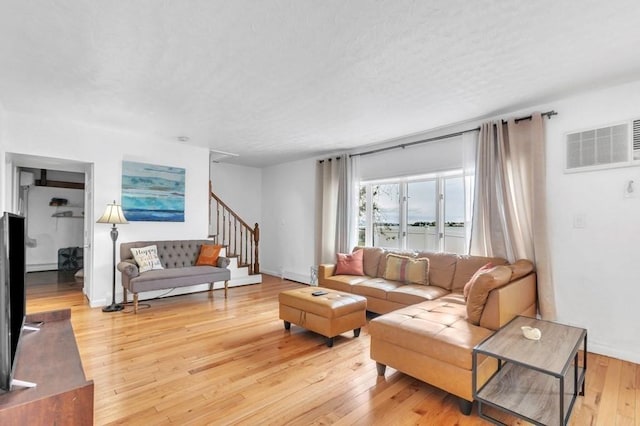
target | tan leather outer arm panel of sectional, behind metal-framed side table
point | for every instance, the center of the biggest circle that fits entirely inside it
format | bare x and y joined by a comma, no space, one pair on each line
518,297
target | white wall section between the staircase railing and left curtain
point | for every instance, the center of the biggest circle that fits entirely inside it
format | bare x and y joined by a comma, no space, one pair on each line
288,220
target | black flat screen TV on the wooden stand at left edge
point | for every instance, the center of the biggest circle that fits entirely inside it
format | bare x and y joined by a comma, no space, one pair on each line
12,293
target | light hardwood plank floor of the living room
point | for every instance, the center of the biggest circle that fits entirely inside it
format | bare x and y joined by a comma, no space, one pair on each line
201,359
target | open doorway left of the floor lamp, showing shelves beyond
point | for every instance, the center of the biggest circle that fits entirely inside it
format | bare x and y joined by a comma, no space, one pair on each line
55,195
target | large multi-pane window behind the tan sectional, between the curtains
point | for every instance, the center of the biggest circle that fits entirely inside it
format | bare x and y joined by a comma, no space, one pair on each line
425,213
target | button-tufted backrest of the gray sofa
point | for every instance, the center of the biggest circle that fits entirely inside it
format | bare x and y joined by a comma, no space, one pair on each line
172,253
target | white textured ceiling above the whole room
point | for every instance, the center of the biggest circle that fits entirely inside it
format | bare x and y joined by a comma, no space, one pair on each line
276,80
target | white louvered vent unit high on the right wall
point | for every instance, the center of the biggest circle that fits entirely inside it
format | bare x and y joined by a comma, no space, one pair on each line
604,147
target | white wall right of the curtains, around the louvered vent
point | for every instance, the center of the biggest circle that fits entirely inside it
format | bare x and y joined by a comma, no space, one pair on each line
596,268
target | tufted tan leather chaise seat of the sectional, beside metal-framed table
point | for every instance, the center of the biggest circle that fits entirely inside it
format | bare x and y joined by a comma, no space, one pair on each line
434,328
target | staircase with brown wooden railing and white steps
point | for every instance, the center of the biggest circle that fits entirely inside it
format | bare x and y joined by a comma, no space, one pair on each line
239,239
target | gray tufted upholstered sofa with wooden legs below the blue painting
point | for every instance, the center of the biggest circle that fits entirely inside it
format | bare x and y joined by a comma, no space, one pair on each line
178,258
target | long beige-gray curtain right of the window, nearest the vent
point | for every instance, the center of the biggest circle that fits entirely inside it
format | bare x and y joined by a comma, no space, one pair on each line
510,215
